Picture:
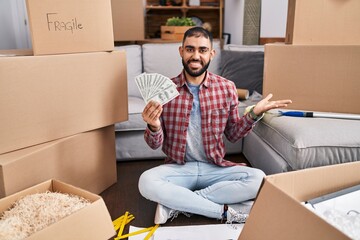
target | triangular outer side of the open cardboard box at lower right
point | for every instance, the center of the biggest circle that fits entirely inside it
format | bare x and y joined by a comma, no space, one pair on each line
277,216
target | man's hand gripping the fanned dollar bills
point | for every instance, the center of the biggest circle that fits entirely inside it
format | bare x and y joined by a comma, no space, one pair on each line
151,115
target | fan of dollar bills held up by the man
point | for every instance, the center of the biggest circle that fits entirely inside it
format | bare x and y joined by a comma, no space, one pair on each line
154,86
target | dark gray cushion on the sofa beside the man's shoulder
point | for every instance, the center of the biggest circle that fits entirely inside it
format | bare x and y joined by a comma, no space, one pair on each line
245,69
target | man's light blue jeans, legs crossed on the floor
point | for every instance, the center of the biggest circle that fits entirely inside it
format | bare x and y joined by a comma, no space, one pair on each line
199,187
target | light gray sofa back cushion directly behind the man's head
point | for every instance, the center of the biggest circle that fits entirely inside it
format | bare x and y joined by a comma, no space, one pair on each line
164,58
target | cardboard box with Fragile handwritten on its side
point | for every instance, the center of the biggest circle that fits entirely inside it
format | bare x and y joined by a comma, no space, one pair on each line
65,26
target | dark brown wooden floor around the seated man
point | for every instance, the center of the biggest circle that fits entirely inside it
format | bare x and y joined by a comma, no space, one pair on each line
124,196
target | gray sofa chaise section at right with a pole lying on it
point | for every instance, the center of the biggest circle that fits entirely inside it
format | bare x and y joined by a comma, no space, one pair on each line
280,144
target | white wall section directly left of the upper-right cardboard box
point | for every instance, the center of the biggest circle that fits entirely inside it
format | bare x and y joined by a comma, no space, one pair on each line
273,18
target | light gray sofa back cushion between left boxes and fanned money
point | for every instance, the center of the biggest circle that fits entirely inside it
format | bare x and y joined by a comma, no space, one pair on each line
134,67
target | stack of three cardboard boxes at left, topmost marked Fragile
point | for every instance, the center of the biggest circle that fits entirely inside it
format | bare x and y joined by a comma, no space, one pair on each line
58,104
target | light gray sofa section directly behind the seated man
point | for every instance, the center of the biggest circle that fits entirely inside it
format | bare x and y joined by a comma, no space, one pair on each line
162,58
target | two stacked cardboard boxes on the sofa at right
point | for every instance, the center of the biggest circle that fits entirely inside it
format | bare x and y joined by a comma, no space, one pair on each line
318,67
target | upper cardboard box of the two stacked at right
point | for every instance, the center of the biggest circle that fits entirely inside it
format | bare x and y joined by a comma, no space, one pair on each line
323,22
